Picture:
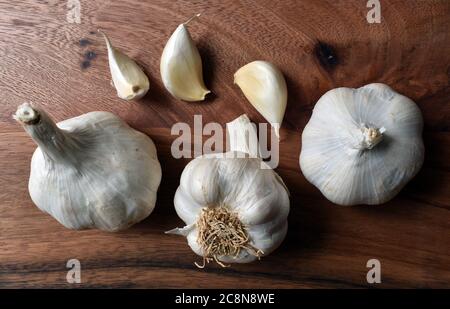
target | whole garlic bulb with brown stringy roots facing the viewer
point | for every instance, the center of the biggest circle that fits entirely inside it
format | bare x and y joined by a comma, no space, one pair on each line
235,211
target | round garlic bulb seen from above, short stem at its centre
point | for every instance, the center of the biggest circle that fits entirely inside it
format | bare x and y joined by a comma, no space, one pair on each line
361,146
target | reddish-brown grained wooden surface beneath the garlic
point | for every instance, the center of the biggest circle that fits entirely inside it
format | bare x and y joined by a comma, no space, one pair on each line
318,45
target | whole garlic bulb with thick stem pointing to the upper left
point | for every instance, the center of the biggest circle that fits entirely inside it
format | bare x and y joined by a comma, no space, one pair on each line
91,171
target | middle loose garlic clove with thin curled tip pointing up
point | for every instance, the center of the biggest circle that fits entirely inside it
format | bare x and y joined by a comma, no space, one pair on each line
181,66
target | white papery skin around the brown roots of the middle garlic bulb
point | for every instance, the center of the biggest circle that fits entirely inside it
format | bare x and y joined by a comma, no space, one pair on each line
258,196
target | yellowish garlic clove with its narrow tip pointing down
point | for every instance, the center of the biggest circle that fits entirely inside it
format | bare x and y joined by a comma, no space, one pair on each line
265,87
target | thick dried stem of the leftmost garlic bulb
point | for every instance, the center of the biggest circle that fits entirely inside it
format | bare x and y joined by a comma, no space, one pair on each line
56,144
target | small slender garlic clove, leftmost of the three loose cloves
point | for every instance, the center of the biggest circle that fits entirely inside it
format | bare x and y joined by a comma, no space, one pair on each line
128,78
